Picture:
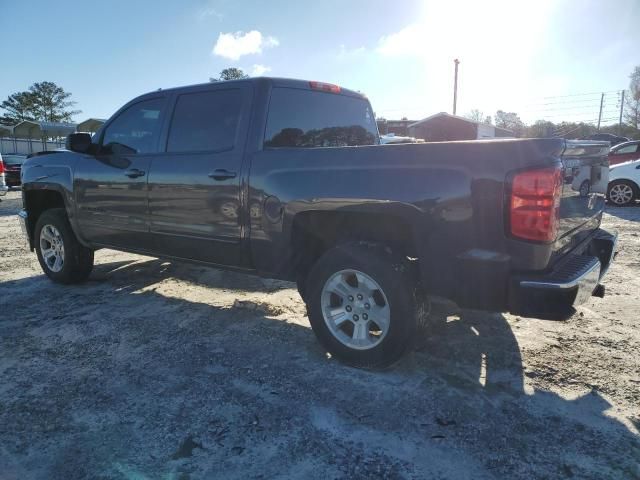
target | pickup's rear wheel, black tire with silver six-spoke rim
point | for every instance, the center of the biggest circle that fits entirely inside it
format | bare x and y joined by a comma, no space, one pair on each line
361,301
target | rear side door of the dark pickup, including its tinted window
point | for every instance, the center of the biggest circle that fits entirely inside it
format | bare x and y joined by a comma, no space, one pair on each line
195,203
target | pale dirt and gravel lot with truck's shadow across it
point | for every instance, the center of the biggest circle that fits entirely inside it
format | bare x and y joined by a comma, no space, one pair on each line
154,370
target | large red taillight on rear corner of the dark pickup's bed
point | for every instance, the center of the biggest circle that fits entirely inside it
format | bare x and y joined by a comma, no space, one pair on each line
534,206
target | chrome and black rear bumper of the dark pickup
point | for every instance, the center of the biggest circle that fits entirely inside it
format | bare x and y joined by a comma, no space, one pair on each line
572,281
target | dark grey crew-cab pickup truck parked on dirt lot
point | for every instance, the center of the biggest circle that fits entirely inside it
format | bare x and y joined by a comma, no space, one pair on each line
286,179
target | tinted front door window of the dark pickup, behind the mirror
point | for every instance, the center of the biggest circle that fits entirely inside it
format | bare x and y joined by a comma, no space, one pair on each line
136,129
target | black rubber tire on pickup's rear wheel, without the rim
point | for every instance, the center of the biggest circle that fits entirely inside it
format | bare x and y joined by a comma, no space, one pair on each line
398,283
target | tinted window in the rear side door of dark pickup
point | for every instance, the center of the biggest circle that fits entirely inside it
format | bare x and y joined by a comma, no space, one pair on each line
205,121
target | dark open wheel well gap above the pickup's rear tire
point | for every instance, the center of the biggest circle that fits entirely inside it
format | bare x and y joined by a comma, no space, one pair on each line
313,233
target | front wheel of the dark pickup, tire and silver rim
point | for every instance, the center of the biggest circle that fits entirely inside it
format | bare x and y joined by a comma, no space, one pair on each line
62,257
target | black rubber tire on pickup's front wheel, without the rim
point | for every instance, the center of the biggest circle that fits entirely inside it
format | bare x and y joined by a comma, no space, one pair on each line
78,259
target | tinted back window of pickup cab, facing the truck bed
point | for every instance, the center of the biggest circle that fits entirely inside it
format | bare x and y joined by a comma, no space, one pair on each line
306,118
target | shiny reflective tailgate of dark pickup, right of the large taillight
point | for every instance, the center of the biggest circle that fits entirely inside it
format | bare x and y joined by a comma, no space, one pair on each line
586,175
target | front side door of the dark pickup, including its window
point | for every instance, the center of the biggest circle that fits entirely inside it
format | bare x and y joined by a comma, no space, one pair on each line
111,187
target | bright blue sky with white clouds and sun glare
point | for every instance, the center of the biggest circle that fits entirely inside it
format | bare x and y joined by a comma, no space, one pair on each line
542,59
